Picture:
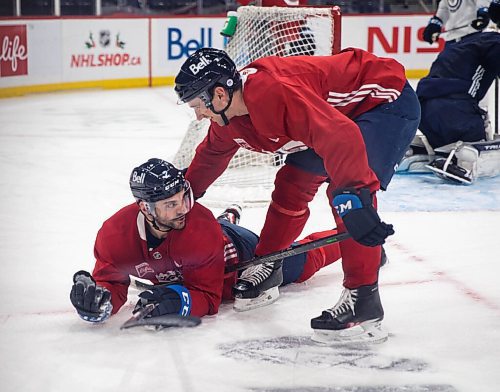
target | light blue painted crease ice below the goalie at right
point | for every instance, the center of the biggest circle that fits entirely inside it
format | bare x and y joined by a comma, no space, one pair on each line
426,192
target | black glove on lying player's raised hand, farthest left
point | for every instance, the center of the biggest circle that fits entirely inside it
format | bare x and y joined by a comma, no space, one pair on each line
92,302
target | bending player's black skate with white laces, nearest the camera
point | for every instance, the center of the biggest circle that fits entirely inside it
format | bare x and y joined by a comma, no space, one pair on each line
355,319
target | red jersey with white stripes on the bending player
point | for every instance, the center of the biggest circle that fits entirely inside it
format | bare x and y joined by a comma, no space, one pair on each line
300,102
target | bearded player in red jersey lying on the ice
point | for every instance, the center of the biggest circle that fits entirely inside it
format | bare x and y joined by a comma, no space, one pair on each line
166,237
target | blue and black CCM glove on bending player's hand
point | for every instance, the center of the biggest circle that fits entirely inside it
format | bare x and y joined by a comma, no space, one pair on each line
360,217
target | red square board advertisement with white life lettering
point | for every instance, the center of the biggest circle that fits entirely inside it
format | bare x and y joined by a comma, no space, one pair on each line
13,50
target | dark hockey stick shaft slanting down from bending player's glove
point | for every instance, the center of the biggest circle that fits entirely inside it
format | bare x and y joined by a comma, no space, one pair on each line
291,251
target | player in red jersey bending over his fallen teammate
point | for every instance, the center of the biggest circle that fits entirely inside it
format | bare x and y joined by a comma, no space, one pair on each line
347,119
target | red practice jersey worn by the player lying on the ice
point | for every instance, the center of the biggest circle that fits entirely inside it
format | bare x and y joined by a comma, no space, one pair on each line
194,257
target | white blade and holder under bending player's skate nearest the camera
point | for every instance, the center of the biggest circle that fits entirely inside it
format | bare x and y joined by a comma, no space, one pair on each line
368,332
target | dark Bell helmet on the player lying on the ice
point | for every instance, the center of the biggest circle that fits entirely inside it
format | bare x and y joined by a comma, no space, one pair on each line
157,180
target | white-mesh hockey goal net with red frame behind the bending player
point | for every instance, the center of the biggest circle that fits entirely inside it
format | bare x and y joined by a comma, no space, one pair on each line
262,32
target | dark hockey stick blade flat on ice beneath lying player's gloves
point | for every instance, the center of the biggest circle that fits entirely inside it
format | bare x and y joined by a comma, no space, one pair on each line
159,322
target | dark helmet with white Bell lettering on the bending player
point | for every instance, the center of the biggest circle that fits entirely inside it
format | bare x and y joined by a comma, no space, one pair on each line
202,72
